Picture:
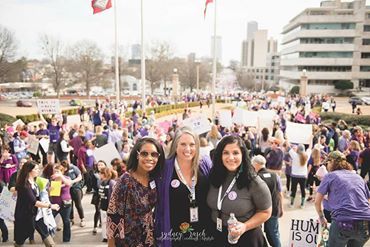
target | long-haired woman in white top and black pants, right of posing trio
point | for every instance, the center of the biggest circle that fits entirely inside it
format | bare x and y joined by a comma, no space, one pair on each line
299,172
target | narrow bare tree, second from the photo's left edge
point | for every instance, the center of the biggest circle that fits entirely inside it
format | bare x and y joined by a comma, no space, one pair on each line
53,49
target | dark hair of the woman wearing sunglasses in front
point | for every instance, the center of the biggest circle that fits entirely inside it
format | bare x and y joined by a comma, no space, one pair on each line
133,161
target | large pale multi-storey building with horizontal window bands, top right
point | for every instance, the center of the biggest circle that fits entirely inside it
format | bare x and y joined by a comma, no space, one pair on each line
331,43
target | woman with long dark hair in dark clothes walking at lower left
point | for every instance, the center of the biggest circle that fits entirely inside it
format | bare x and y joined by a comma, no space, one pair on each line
27,205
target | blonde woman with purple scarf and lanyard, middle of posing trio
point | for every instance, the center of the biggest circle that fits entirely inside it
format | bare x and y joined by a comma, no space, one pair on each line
182,192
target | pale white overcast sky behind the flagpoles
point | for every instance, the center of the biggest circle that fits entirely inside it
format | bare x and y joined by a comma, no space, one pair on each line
178,22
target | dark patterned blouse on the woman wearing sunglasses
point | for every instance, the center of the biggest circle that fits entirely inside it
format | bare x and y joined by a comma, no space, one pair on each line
130,213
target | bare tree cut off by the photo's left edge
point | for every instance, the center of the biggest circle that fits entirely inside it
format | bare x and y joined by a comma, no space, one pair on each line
8,48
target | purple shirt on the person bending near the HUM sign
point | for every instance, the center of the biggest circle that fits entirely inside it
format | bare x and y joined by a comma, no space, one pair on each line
347,195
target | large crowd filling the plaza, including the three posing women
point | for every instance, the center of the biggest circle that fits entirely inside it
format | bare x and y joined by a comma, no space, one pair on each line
174,187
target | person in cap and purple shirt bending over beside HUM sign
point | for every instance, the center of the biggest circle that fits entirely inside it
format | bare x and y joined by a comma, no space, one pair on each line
349,201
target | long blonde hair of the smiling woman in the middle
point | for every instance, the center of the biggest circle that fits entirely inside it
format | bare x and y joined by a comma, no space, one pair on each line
179,133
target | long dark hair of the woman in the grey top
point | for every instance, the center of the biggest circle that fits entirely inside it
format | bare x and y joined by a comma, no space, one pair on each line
218,172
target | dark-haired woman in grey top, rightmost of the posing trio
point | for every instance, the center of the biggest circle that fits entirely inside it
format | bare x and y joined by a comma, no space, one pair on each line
235,188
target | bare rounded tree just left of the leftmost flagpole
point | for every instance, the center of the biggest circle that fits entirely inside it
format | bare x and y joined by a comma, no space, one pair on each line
88,59
